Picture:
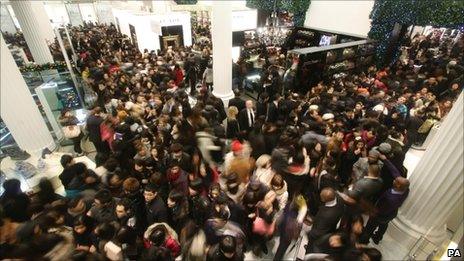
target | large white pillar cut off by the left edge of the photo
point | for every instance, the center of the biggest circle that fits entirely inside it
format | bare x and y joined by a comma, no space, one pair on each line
19,110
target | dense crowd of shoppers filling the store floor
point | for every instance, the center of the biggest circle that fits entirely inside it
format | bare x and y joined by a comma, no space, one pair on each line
206,182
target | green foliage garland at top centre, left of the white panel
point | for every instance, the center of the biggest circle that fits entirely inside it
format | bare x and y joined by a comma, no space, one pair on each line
297,7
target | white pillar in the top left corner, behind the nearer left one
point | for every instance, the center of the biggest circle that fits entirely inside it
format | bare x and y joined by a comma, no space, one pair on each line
36,28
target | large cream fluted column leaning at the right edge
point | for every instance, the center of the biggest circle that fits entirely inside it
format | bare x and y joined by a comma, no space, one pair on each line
436,186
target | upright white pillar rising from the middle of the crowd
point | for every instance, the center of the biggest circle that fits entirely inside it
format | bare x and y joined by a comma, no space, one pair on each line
221,31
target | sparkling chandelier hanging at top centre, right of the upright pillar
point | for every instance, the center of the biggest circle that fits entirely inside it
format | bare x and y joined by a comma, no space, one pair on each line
273,33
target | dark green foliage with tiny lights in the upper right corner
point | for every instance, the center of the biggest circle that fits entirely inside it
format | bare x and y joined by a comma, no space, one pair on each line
386,13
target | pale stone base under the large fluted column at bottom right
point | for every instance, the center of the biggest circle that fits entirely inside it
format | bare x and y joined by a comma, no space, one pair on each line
402,238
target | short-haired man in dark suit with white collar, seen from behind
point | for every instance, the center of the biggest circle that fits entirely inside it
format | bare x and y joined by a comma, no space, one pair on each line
328,215
